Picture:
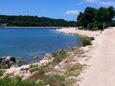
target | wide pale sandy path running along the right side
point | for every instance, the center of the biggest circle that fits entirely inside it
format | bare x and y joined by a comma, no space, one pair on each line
102,69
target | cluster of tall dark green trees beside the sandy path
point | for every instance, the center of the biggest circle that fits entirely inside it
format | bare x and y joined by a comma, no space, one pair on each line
93,18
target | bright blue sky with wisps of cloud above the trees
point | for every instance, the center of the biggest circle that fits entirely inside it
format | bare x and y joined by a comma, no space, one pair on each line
58,9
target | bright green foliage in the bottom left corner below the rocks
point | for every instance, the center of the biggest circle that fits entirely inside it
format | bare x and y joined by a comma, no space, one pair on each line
17,81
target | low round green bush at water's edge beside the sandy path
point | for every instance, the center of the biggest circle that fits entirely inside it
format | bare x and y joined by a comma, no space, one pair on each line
86,41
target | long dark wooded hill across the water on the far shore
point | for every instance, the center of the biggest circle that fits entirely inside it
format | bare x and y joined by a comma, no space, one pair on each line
34,21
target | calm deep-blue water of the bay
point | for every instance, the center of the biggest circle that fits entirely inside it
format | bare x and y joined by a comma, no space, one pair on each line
28,43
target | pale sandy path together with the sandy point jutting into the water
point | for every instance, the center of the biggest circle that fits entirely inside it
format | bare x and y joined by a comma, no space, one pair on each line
100,58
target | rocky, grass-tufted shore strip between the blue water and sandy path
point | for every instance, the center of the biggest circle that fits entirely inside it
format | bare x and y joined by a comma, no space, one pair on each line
65,64
